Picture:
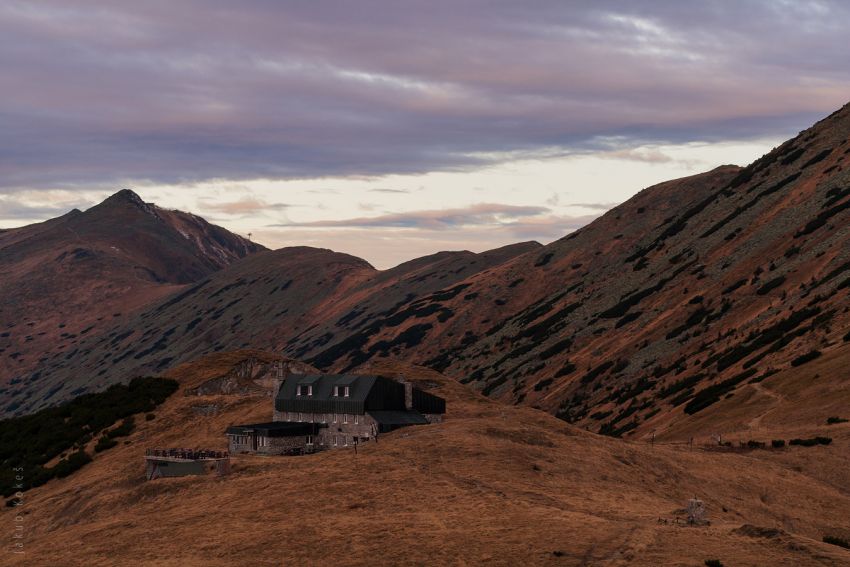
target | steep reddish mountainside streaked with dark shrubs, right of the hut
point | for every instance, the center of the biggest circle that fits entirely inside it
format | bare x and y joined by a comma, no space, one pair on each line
711,280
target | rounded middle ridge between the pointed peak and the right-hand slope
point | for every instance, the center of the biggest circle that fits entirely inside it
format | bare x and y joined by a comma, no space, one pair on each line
266,300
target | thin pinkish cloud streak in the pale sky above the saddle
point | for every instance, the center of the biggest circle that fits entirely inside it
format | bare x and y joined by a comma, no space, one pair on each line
474,215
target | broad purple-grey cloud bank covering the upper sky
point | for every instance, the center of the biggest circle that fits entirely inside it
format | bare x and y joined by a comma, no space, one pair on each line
166,92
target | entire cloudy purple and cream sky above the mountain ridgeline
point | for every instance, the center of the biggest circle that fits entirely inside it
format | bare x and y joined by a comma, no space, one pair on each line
391,130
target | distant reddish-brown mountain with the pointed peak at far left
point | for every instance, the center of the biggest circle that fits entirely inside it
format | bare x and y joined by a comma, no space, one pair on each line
78,274
